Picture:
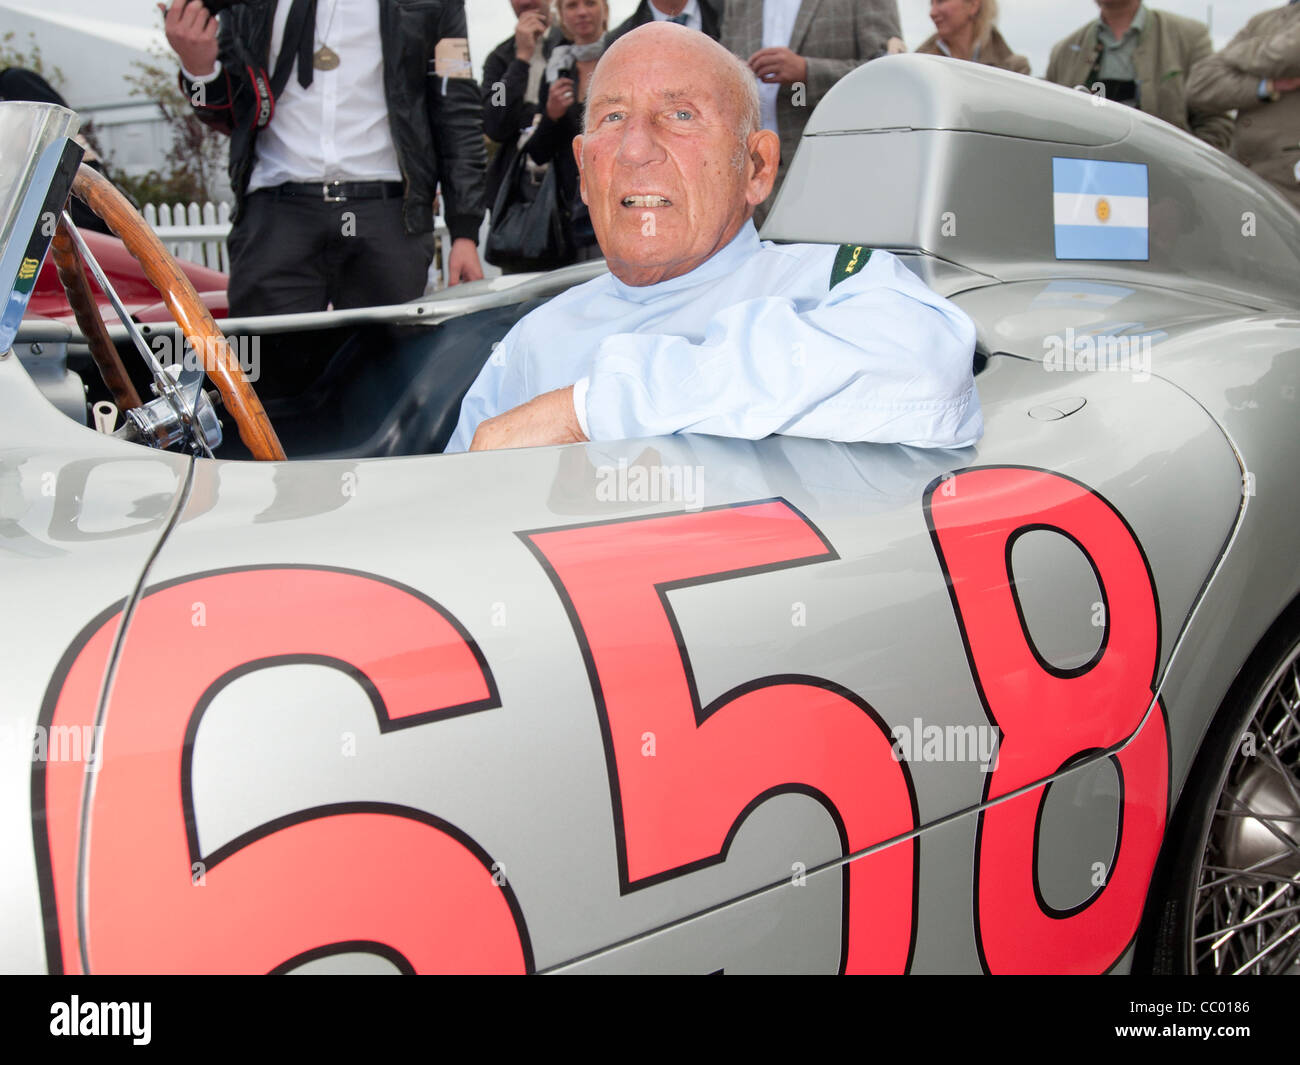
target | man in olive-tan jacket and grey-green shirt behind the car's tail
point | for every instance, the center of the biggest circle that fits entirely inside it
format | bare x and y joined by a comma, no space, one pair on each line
1143,59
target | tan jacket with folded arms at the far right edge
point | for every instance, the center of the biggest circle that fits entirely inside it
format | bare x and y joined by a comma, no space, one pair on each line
1268,132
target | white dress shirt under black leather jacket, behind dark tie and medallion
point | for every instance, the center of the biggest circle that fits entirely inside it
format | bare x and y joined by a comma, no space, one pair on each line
337,129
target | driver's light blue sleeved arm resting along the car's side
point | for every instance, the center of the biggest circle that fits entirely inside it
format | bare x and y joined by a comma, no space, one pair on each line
879,358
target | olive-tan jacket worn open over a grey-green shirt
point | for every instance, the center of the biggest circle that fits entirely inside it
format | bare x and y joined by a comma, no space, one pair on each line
1167,53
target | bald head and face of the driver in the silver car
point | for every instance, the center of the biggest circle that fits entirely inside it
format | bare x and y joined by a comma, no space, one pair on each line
665,174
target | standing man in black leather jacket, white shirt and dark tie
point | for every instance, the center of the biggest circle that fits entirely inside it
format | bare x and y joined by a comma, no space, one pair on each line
345,119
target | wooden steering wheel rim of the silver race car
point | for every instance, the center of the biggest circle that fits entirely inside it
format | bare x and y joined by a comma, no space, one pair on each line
181,300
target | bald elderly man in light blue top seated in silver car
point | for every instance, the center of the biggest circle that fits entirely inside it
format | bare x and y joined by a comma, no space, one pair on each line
699,327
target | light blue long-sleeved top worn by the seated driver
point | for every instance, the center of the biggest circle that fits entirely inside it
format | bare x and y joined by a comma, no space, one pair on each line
752,343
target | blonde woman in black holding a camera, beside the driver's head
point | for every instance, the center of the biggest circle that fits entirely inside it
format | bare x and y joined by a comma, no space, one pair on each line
569,72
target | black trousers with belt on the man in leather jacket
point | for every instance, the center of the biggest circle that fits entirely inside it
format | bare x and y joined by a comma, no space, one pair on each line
291,254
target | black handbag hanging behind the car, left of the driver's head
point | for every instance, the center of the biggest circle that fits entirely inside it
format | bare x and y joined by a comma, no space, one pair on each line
530,226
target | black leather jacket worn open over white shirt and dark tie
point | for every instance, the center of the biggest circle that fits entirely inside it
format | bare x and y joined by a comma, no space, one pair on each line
436,123
